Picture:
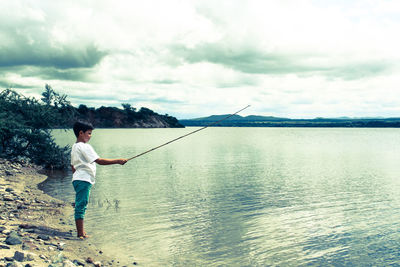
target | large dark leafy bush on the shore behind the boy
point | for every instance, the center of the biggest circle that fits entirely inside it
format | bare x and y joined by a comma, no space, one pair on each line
26,124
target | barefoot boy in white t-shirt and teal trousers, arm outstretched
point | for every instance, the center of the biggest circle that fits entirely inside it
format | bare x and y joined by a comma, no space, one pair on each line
83,163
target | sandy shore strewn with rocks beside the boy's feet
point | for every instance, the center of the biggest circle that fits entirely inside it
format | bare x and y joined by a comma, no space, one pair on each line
38,230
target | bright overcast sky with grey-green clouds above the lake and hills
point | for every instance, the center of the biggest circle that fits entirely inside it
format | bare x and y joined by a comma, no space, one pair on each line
189,59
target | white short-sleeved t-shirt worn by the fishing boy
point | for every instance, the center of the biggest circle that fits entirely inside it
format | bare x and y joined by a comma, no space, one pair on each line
82,158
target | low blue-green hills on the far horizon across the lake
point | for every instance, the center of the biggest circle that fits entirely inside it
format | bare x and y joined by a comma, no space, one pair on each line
269,121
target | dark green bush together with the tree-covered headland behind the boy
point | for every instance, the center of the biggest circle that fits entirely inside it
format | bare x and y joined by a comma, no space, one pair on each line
26,124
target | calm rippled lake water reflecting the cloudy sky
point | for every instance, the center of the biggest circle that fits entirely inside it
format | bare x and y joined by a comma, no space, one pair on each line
245,196
